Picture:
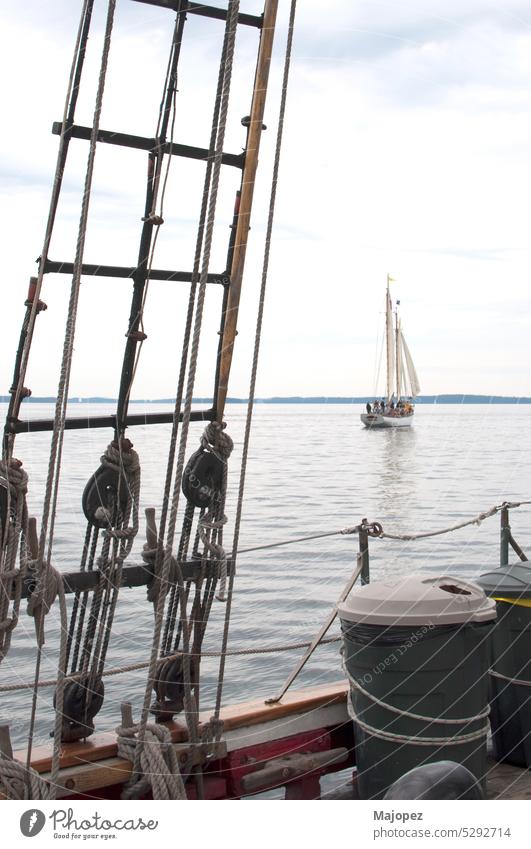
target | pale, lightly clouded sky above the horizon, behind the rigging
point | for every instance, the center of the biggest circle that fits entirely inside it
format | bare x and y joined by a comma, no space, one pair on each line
407,151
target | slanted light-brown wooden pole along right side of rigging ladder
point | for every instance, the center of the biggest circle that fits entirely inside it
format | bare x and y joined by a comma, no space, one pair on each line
246,200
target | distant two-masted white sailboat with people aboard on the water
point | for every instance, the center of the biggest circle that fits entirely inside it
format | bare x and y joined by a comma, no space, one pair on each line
402,384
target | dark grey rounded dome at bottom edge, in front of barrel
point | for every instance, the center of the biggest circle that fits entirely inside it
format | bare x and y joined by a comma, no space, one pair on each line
441,780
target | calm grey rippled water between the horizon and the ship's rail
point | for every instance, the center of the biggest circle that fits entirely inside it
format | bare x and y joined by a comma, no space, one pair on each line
312,468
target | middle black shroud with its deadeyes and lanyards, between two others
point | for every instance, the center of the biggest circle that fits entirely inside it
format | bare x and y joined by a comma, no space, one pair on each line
86,698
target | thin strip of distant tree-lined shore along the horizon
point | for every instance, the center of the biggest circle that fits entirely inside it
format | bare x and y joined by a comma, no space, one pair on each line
295,399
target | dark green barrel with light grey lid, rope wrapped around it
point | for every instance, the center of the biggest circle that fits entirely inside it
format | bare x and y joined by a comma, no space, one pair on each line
416,652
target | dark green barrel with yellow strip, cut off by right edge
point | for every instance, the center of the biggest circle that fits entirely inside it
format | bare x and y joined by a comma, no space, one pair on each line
510,675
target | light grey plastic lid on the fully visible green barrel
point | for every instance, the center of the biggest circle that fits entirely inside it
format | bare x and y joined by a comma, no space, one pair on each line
421,599
